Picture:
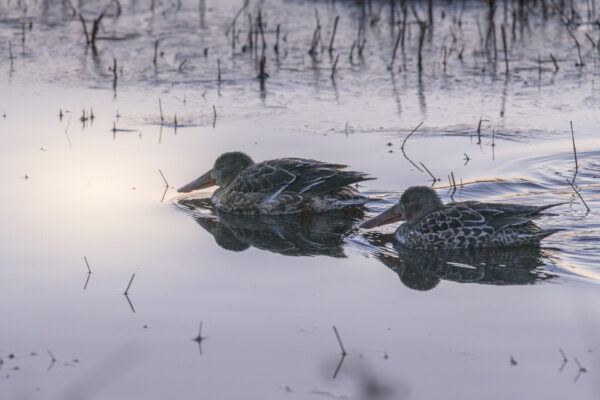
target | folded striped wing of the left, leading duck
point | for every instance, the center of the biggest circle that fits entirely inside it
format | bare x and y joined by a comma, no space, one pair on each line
287,176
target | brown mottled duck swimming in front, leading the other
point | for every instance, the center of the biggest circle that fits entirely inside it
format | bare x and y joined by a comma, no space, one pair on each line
280,186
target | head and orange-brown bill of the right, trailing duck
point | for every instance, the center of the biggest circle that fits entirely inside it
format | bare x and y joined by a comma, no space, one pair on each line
415,203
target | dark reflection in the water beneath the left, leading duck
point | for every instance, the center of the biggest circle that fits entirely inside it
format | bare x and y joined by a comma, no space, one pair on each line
289,235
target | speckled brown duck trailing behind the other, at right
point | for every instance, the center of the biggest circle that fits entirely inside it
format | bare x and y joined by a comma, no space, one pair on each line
431,225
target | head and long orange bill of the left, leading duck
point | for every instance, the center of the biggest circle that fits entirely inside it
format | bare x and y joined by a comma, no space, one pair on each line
226,168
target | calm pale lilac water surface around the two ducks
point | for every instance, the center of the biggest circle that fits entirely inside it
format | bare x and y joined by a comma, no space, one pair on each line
267,295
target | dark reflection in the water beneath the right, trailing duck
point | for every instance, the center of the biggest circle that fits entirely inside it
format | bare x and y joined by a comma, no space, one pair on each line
423,270
